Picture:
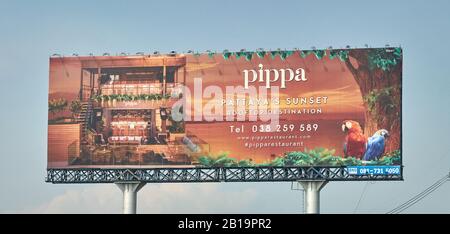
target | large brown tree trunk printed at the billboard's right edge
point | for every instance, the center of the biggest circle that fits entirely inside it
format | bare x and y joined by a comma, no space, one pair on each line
385,112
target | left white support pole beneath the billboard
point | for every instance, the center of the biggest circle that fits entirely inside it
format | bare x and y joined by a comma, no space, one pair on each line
129,190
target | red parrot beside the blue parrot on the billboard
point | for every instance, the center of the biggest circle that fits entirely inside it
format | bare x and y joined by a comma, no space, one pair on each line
355,141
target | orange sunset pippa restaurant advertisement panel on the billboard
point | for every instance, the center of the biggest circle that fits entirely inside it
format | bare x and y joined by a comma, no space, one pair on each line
338,107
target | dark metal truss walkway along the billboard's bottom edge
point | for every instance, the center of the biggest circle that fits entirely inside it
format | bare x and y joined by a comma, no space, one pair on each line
214,174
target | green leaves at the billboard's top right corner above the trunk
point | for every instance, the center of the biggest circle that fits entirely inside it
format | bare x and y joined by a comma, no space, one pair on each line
384,58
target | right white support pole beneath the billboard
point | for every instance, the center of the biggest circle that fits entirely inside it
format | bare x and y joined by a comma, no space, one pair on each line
312,195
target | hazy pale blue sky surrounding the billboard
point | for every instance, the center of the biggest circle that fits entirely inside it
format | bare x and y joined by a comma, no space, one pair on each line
31,31
